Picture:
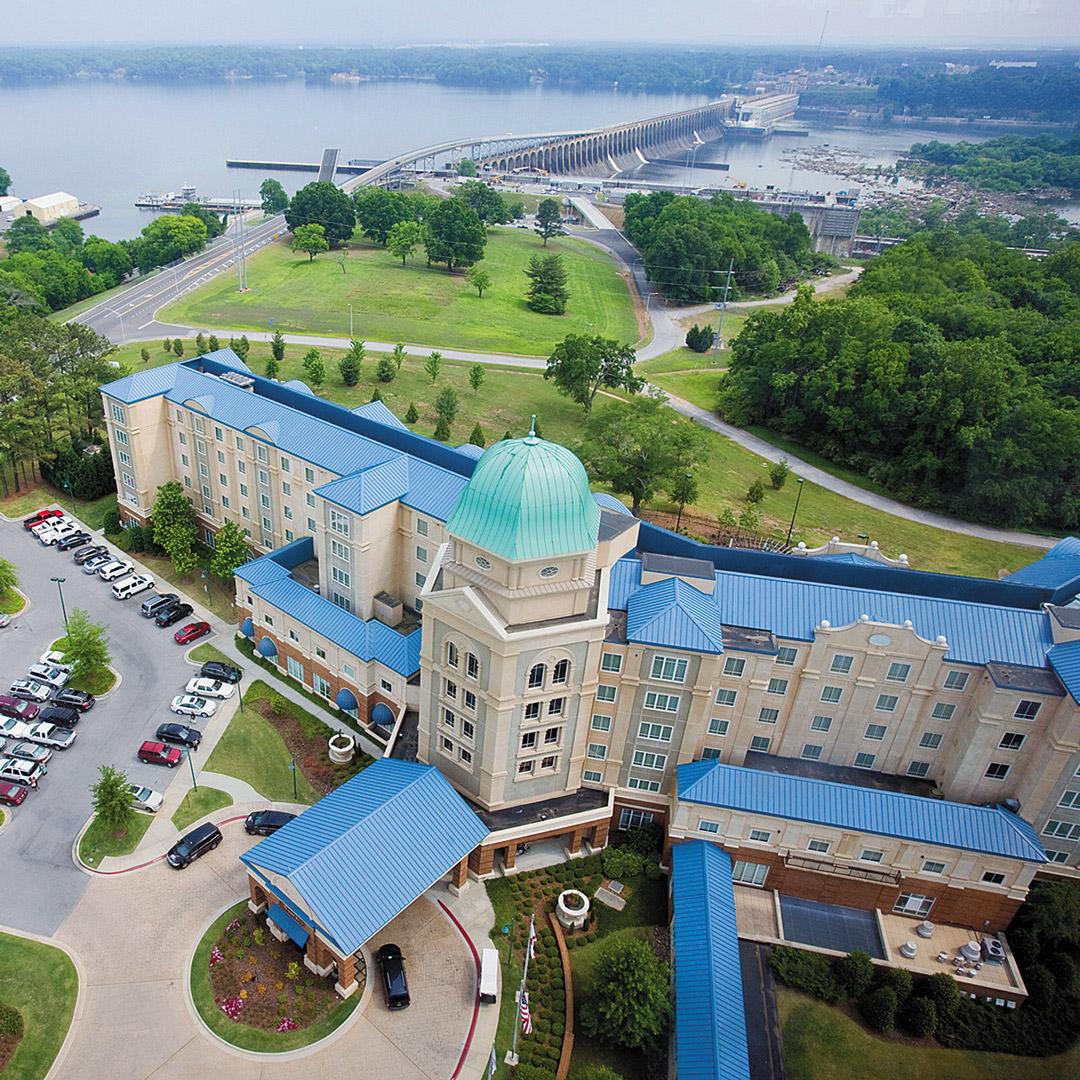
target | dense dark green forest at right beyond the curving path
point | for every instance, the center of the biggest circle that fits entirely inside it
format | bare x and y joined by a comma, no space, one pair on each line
951,375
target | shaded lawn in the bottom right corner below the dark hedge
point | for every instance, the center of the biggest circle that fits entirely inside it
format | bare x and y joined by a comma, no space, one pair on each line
821,1043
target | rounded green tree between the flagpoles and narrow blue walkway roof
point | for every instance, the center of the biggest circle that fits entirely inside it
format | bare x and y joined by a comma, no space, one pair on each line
631,1003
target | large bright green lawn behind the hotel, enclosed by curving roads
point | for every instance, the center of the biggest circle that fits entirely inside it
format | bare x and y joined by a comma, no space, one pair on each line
416,304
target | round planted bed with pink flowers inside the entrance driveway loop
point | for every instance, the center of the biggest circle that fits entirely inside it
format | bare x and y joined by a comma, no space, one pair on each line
255,992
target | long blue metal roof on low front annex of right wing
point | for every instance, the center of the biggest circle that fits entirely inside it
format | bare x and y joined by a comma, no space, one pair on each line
991,830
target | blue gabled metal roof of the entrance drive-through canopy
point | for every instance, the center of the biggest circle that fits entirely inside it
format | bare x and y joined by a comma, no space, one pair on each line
362,855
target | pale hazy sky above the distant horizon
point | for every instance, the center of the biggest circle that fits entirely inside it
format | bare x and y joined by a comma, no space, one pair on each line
975,23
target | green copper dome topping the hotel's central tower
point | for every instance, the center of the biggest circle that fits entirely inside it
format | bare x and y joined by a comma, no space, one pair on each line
528,499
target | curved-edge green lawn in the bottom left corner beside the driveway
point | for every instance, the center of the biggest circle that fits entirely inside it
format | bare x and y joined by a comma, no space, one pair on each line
42,983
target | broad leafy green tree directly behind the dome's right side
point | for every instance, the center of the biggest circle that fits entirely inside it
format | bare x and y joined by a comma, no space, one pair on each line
641,448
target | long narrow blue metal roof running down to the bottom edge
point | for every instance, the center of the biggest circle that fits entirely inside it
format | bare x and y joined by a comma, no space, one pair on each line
710,1021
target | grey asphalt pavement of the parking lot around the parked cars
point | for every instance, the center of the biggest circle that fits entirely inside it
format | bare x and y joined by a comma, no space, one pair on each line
43,884
